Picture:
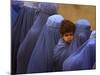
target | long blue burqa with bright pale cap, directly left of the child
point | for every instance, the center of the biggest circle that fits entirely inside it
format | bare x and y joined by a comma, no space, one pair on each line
41,58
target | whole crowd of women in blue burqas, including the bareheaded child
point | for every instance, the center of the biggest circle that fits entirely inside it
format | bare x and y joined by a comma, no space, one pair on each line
43,41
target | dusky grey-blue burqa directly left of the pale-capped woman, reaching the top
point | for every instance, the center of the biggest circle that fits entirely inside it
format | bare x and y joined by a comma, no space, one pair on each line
27,46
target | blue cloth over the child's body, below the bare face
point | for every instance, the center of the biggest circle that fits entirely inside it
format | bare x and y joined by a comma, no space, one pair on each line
59,52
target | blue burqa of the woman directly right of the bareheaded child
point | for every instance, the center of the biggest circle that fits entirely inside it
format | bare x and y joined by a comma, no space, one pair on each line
81,35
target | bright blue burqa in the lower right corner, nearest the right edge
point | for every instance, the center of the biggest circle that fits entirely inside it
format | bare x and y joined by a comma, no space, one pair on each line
84,58
